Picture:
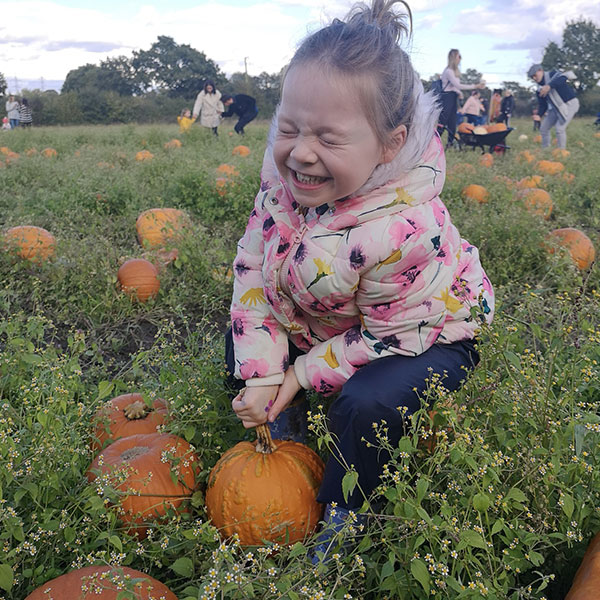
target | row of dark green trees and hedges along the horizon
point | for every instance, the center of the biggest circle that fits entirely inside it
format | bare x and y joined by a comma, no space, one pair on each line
155,84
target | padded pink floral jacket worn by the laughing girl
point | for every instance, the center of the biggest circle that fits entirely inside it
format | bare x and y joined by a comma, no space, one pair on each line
370,276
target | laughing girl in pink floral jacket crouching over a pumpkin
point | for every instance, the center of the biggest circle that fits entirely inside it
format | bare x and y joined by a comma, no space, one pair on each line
350,261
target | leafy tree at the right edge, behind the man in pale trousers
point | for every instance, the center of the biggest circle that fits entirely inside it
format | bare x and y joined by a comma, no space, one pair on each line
580,53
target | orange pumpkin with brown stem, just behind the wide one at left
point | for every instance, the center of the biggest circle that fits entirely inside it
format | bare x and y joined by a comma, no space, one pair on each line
127,415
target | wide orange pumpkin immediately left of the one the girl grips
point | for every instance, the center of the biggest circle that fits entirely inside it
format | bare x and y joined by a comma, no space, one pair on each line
152,472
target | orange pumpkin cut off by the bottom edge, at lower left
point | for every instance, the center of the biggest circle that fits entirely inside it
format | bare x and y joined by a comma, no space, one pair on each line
102,583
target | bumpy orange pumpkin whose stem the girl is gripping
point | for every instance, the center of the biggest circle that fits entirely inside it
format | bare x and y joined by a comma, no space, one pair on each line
267,492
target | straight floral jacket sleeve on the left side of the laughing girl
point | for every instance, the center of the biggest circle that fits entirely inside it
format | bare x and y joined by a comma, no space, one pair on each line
260,341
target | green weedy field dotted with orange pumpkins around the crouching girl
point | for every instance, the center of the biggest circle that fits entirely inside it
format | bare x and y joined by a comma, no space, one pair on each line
116,246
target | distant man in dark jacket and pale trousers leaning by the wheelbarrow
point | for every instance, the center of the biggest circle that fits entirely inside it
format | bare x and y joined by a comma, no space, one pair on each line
557,103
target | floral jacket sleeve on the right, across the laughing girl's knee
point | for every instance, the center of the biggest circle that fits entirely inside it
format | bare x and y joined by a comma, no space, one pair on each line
403,301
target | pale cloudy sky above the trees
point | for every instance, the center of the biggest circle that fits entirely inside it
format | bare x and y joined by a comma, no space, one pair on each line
41,41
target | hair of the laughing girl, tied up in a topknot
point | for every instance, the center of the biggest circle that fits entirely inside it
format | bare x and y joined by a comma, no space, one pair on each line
366,44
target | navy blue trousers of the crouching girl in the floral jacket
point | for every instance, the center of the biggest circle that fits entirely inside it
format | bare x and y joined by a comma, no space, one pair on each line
374,393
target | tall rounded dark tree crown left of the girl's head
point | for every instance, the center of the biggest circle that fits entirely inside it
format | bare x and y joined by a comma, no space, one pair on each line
178,70
